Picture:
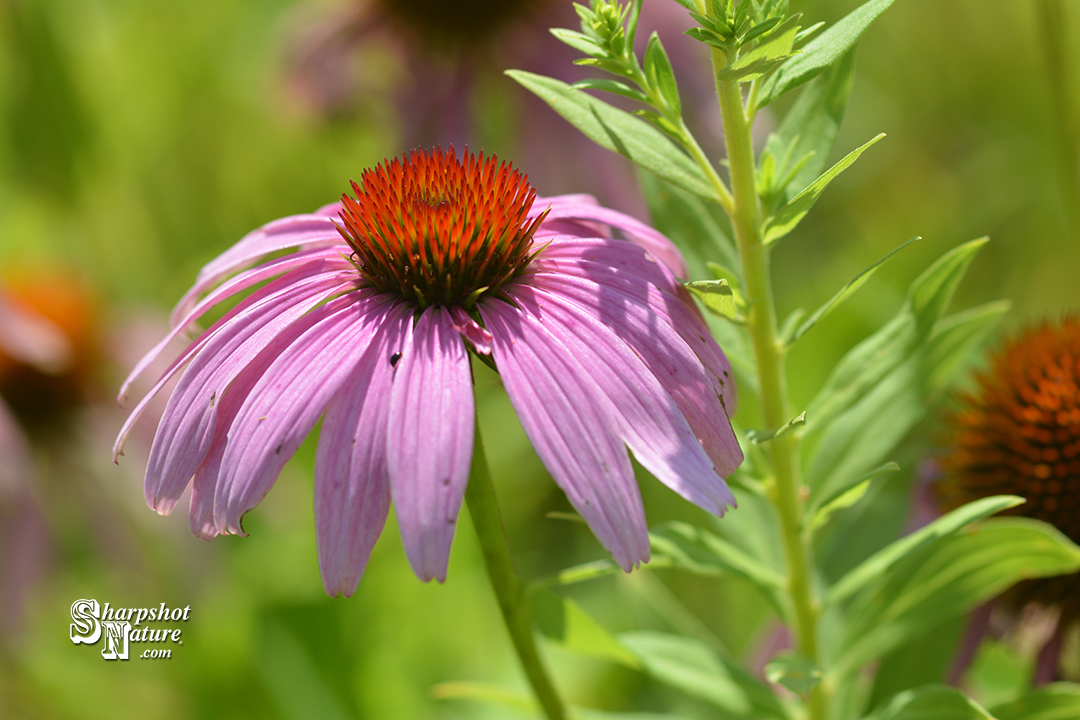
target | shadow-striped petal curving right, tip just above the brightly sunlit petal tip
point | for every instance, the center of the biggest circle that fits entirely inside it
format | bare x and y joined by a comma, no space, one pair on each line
643,319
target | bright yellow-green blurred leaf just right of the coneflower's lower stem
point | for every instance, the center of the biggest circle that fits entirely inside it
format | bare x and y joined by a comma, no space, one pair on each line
564,622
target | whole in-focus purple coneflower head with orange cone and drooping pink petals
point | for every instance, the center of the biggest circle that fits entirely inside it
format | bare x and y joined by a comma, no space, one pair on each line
368,323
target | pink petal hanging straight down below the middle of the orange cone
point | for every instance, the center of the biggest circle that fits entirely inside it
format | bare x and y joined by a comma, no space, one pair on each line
430,440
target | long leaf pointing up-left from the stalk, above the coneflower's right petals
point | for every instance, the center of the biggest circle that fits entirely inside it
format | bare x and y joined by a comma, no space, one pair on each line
620,132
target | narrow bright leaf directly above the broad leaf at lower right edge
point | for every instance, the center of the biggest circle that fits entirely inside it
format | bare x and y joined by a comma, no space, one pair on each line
879,565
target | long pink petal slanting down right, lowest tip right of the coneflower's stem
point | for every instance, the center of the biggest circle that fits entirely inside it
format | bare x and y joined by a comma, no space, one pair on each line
569,418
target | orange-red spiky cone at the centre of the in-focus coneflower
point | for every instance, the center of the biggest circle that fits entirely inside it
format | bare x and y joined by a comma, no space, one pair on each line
438,230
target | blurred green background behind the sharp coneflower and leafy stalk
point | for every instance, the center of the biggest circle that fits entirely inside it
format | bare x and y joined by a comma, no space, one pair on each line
140,140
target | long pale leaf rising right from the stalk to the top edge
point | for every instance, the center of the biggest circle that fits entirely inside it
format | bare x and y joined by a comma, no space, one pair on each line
821,52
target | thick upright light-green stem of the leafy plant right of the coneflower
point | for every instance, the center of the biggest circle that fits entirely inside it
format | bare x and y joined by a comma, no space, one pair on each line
769,354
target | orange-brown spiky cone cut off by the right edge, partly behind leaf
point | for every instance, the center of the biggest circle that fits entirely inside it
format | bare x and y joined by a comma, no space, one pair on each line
1020,434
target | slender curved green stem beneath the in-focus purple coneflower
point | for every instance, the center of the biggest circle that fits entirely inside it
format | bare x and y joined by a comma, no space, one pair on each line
509,589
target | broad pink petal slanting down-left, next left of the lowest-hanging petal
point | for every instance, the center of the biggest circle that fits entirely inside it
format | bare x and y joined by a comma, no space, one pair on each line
319,352
